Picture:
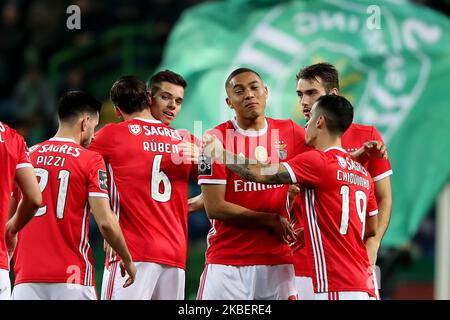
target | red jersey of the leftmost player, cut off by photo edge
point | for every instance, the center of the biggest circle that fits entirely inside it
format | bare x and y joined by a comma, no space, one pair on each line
13,156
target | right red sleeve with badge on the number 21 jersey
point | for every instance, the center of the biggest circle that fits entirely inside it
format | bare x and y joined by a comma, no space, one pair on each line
98,181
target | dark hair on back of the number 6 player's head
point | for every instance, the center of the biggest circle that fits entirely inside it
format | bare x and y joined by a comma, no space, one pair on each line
129,94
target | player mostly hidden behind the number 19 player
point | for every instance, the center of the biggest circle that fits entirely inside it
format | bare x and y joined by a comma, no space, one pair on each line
312,82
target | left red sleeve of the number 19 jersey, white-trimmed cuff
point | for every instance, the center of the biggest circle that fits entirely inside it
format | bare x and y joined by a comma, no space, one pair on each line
306,168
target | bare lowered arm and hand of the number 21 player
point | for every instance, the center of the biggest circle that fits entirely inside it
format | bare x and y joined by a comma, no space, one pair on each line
111,232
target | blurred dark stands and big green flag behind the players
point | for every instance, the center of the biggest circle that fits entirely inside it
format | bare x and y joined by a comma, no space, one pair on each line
396,71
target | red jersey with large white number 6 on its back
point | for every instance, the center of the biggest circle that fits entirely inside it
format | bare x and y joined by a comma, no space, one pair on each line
148,189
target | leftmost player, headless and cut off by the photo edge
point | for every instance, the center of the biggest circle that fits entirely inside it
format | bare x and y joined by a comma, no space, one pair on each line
15,168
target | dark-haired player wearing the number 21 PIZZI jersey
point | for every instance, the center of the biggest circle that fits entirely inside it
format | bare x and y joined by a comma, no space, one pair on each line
53,259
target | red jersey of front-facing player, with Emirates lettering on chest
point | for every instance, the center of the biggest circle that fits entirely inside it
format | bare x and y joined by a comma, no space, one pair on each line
227,244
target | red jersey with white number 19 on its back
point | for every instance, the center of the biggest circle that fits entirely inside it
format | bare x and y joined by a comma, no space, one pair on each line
338,195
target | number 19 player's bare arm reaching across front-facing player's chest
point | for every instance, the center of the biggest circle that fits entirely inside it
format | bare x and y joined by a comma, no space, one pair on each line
248,169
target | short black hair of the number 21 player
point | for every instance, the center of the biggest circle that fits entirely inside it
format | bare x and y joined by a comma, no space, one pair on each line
72,104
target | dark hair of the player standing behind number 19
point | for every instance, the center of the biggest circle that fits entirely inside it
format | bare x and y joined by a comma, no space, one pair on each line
324,71
